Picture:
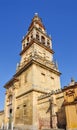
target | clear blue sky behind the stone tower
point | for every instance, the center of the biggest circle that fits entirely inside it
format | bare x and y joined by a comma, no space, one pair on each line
60,20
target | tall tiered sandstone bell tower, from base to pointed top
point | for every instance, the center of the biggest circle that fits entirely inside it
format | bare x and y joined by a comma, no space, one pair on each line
36,74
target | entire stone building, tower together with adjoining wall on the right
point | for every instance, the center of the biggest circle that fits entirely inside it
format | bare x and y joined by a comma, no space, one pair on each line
34,99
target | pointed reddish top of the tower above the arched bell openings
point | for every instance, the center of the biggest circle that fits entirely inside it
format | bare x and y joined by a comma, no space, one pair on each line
36,20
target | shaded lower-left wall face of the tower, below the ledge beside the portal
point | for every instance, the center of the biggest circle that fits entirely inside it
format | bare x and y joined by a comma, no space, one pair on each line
24,110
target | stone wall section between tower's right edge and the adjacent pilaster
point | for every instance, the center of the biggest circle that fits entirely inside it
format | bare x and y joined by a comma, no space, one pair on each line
44,113
